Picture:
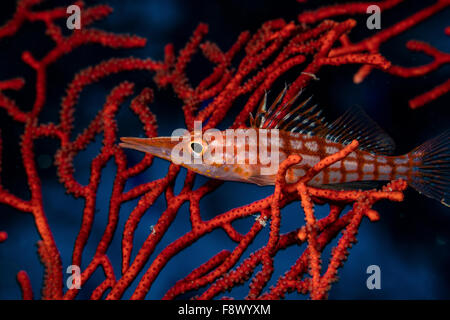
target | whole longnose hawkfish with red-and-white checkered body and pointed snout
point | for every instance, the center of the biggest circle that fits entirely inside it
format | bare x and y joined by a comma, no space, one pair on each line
284,129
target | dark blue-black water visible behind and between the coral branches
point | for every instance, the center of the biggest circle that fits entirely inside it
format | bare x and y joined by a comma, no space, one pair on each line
410,243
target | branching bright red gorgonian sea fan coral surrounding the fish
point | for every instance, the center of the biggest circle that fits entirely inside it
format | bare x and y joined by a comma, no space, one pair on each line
274,49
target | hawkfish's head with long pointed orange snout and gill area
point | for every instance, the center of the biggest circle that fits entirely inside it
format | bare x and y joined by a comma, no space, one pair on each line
210,154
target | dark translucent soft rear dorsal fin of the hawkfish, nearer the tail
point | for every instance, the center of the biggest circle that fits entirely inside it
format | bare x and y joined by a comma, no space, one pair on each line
356,124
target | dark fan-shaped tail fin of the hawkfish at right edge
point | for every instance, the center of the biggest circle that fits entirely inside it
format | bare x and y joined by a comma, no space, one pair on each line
432,175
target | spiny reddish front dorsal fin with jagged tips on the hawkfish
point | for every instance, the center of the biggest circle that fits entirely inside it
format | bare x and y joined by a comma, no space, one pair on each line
302,118
